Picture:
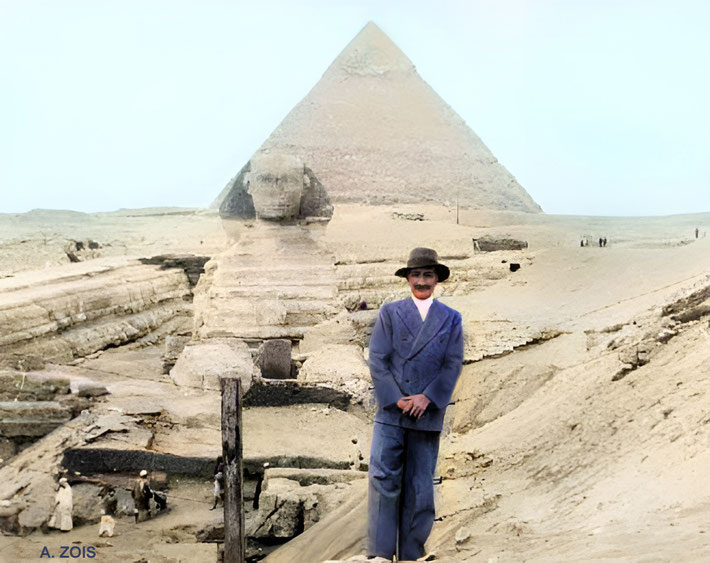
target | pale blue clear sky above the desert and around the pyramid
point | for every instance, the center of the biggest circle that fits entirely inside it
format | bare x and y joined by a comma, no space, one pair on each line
596,107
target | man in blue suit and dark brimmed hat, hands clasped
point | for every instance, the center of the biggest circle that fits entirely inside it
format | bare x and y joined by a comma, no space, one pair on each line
416,354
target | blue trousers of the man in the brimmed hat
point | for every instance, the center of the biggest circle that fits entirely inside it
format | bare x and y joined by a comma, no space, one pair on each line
401,491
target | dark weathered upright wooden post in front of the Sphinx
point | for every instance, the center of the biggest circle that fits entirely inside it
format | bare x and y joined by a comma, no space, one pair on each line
234,540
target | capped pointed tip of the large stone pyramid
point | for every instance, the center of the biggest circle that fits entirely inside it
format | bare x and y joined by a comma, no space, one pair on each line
371,52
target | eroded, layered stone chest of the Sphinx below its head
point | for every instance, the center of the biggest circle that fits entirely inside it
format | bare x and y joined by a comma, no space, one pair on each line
274,284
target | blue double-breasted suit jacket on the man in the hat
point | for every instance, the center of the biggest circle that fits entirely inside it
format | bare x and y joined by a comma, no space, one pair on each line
410,356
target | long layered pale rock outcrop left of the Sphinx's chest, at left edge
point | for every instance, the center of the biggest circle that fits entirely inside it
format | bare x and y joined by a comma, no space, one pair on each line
72,311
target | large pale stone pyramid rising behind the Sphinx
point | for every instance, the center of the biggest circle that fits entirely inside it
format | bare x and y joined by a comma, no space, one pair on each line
374,131
